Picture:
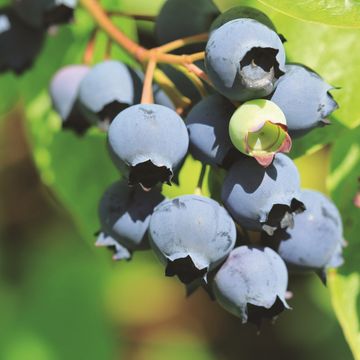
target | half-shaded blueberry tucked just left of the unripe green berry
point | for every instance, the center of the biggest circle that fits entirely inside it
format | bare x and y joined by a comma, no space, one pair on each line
208,123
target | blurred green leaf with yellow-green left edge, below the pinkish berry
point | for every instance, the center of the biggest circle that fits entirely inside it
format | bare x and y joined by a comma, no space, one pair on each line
78,169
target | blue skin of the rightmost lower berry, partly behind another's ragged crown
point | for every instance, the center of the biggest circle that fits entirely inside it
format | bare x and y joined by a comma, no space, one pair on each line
315,242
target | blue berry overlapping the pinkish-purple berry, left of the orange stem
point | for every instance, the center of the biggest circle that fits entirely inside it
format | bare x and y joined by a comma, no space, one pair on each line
107,89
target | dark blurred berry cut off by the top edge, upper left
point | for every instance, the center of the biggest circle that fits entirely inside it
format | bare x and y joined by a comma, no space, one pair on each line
44,13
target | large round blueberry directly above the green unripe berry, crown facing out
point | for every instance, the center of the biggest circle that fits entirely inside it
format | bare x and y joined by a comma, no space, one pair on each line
244,59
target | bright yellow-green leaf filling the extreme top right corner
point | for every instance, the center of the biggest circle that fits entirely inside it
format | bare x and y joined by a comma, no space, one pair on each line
342,13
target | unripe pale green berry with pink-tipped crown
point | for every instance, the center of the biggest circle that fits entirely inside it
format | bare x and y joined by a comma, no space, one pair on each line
258,128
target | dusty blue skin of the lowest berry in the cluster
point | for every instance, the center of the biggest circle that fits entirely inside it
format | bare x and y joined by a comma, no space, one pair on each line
251,275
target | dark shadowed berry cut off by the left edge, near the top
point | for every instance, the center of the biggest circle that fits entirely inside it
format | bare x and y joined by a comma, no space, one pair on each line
19,43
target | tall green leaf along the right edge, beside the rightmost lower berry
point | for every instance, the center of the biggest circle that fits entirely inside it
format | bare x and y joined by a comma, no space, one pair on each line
345,283
